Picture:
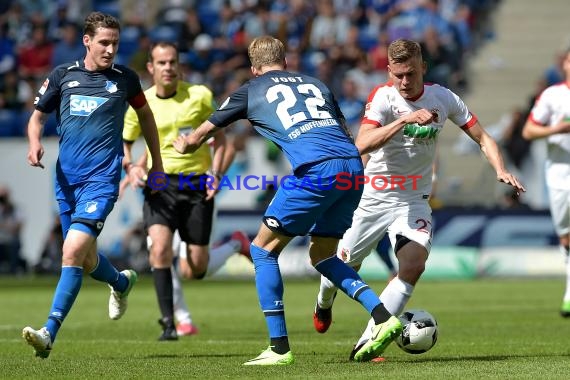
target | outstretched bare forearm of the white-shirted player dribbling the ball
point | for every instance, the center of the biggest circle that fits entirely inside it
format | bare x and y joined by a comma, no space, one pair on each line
491,151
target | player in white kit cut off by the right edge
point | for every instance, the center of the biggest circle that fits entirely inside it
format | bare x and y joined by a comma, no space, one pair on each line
550,119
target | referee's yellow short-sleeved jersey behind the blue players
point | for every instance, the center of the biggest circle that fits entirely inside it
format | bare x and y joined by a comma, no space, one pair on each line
181,113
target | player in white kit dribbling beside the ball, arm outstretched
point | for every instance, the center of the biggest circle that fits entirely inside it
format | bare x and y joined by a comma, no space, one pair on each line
399,130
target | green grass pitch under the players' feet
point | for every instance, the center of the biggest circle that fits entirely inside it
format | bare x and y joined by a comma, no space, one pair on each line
488,329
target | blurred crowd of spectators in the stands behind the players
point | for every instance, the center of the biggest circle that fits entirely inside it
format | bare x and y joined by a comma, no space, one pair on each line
343,42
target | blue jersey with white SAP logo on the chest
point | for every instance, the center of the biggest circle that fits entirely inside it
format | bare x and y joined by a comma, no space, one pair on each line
90,108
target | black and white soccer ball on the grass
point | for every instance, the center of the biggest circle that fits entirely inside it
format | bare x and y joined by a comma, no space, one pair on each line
419,333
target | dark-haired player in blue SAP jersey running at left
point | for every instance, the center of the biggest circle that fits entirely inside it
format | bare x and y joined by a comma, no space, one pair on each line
90,98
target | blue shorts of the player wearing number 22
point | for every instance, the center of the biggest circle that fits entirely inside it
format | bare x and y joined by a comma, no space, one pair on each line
313,201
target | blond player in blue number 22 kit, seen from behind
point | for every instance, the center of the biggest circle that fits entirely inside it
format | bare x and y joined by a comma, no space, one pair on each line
301,116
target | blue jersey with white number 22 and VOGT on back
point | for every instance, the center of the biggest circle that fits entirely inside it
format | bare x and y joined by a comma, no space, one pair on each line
295,111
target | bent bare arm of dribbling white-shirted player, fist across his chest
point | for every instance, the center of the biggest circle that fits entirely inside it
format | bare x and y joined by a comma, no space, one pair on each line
372,136
